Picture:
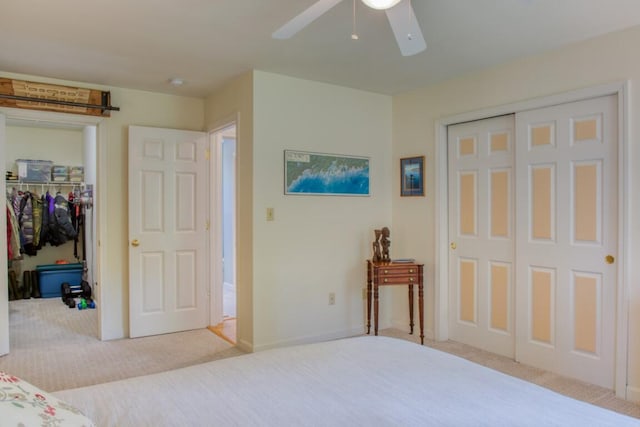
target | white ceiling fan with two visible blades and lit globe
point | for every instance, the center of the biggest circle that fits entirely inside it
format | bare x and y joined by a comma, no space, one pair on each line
399,12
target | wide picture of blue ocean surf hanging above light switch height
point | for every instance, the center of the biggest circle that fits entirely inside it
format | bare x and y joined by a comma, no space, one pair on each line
308,173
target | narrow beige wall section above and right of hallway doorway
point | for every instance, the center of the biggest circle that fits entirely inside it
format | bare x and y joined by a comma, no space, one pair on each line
234,102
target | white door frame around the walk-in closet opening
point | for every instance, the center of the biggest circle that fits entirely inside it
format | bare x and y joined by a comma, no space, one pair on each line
7,113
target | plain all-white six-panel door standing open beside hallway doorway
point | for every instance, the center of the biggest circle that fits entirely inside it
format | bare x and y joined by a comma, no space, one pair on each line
168,253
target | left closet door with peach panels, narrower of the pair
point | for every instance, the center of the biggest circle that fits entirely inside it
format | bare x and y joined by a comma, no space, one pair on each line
481,228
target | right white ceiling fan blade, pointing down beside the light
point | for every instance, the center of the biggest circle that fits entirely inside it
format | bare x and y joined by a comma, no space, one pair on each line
406,28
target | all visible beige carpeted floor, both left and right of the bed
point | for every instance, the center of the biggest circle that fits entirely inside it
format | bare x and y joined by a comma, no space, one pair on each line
56,348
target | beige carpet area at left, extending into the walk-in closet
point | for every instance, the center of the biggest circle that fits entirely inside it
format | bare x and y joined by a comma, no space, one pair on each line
56,348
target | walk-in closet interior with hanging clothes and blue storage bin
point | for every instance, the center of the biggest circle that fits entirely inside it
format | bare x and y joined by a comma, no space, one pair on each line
50,180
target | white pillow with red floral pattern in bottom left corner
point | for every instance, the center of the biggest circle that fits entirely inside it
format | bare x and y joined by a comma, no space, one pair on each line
22,404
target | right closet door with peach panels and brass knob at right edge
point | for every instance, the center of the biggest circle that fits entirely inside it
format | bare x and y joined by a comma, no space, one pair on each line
566,244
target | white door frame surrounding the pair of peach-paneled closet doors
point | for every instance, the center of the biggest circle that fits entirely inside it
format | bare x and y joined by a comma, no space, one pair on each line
441,270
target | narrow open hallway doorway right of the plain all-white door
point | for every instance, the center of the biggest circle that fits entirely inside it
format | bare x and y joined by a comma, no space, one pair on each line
224,300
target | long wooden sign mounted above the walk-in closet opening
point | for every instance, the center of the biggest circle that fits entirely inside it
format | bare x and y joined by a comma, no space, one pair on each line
50,97
